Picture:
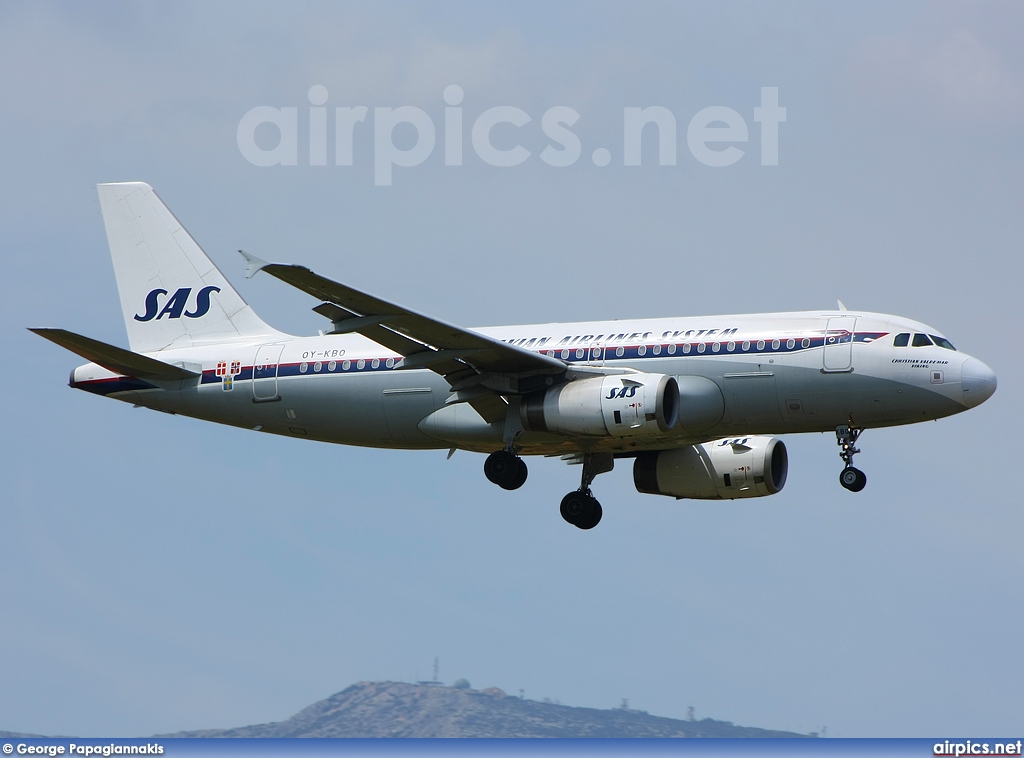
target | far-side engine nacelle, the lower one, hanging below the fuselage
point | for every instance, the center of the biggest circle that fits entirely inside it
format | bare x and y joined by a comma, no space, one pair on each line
726,470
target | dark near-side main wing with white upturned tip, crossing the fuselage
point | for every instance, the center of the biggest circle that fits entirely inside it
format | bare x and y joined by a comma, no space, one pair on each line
479,368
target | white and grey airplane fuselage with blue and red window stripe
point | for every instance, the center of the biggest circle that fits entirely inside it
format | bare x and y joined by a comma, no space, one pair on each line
770,374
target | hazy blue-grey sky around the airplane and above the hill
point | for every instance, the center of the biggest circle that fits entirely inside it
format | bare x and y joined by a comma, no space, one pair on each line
162,574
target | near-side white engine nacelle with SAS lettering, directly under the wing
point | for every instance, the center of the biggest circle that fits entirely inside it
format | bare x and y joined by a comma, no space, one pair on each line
621,406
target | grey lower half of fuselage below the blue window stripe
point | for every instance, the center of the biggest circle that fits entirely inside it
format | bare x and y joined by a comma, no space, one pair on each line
387,409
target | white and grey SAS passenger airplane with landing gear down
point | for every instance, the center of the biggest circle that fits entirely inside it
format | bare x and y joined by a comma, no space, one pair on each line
697,403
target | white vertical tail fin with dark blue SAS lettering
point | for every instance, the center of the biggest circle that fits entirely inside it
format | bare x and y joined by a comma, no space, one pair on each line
173,296
